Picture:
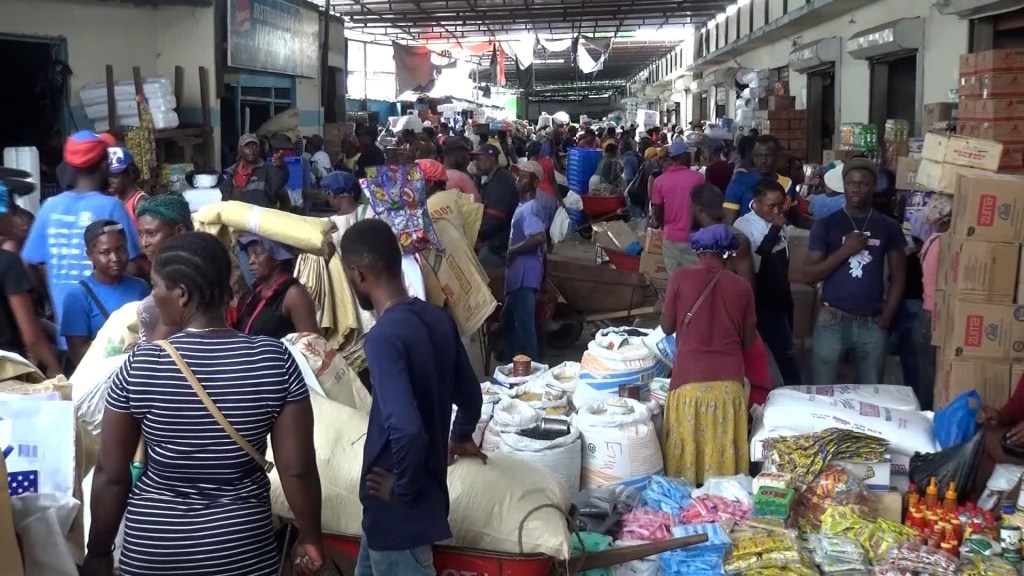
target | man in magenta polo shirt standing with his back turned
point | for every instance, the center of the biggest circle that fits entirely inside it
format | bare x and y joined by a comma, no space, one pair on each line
671,208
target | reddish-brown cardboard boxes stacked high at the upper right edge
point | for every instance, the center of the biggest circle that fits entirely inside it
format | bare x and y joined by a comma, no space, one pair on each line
992,93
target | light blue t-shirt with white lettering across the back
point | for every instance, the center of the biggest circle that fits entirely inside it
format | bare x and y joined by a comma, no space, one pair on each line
56,240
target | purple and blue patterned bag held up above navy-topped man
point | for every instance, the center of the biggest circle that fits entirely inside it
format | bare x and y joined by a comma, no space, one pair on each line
398,195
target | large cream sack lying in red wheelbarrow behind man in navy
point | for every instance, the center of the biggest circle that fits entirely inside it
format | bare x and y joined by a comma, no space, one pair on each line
488,502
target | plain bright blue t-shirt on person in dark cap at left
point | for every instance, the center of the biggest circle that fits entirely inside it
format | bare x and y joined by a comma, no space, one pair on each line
81,314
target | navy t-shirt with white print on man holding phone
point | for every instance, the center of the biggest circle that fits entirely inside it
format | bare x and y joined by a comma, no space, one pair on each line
859,286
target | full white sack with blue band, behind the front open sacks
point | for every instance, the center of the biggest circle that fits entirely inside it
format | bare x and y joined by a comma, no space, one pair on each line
614,358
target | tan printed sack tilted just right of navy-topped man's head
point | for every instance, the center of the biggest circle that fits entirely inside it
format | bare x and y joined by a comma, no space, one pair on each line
453,274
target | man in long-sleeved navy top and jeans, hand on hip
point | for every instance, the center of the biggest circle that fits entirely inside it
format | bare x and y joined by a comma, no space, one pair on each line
419,368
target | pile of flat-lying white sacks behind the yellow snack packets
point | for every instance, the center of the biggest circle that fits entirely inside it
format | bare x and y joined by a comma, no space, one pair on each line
885,412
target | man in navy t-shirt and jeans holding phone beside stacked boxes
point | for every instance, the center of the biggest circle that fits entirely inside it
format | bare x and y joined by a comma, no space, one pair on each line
847,253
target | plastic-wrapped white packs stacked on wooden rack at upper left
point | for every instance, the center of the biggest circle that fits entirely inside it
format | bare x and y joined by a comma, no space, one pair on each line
159,94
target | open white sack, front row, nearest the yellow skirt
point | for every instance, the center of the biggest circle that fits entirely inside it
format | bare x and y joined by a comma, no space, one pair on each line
621,444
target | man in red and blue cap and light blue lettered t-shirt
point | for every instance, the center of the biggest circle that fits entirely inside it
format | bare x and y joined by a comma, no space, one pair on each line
56,243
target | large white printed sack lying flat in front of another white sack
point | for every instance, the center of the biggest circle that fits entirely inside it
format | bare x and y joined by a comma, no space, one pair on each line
906,431
